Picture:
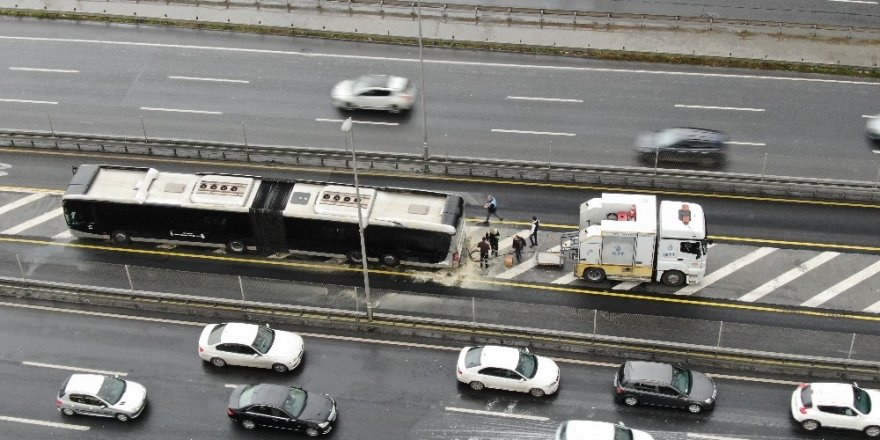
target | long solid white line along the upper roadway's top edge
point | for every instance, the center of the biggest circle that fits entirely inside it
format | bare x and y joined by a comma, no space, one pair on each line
447,62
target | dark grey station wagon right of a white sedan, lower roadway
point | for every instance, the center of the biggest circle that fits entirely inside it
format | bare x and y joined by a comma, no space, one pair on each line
655,383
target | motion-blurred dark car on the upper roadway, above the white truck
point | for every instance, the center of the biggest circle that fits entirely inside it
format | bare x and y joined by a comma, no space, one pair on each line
690,145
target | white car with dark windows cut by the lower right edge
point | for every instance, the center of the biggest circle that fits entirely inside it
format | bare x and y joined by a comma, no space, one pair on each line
836,405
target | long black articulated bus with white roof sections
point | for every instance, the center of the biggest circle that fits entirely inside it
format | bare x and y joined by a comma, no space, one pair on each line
267,215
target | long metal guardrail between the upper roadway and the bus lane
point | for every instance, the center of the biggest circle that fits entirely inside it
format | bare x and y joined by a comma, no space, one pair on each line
600,175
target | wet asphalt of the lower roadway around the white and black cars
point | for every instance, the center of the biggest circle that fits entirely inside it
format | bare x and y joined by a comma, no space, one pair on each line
394,390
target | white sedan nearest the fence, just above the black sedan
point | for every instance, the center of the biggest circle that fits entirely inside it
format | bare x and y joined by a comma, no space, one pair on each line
250,345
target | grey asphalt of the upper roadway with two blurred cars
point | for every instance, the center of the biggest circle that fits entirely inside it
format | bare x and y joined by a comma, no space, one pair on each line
97,78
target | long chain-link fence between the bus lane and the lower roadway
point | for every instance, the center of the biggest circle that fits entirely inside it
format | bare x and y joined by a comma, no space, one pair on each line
250,290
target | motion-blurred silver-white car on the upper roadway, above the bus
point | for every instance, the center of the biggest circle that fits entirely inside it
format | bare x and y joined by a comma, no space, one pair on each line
375,92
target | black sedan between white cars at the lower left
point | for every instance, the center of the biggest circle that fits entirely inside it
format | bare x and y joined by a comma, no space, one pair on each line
283,407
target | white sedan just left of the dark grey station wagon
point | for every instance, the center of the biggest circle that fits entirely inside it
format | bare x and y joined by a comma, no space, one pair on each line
507,368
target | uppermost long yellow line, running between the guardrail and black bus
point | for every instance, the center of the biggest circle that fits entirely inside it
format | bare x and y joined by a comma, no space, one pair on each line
466,179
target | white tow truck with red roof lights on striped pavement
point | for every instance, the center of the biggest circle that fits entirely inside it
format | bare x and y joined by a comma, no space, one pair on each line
623,237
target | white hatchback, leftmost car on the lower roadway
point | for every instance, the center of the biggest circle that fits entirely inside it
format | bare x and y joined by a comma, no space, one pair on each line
102,396
